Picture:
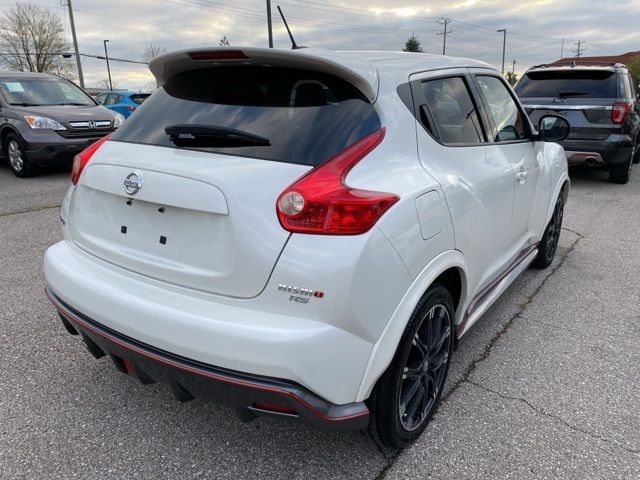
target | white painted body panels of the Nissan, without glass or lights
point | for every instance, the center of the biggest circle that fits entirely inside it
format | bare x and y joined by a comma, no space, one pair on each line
211,293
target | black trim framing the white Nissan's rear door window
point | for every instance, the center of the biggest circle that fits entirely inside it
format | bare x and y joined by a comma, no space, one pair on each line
419,101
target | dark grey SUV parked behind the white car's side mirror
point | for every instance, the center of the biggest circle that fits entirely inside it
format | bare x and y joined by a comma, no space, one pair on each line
601,106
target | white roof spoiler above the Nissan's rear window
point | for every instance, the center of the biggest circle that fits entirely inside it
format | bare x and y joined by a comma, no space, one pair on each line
361,73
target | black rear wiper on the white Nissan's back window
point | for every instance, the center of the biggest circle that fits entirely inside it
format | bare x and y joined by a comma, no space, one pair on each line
214,136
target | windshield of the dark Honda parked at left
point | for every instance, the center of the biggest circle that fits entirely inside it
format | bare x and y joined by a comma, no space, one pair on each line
43,91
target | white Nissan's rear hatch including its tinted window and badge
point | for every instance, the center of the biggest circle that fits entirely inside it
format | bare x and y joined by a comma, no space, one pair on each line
199,211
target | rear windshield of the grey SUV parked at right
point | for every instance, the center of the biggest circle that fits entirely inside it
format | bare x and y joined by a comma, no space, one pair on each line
569,83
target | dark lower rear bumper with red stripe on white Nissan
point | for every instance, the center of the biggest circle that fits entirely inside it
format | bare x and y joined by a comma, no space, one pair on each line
188,379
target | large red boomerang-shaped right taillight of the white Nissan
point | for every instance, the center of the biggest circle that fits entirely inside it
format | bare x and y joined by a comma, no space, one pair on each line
319,202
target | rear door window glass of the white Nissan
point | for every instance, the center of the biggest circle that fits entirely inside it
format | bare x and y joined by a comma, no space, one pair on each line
452,111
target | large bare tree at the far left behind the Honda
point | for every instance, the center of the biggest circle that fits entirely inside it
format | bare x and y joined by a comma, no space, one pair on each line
32,39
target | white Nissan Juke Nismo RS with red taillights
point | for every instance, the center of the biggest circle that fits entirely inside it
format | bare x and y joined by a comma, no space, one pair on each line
306,233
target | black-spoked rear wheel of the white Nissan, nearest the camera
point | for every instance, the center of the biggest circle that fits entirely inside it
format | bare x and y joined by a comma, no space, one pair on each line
408,393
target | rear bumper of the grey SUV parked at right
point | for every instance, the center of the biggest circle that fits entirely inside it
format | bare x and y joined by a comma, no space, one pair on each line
615,149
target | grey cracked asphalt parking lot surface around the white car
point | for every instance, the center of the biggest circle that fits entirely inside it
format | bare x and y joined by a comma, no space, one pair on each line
544,386
